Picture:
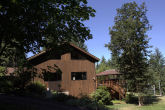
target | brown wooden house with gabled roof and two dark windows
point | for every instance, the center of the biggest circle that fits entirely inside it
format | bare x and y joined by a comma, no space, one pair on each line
67,68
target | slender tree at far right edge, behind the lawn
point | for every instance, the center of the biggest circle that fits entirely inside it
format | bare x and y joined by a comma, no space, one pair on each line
157,63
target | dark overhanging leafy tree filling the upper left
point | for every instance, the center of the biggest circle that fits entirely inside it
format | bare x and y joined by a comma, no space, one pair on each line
31,24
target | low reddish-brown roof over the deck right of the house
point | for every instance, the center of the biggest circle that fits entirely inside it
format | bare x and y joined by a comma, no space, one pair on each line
108,72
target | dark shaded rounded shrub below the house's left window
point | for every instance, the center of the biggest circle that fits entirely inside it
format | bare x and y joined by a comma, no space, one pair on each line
36,89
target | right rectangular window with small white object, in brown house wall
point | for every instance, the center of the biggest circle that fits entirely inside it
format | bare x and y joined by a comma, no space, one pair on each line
78,76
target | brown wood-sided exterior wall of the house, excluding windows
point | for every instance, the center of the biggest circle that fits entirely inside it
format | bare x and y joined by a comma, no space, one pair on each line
68,65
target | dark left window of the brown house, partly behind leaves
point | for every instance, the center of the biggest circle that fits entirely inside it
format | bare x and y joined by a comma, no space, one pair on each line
48,76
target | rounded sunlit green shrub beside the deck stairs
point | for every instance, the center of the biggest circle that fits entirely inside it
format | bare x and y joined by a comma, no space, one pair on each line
102,96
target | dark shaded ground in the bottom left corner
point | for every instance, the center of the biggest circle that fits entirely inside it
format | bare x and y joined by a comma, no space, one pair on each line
26,103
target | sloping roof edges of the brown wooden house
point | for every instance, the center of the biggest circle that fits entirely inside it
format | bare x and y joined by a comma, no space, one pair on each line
72,45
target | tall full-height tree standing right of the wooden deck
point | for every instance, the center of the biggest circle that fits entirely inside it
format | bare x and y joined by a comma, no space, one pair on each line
129,44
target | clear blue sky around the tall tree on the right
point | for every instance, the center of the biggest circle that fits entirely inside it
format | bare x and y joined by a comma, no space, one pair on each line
105,13
